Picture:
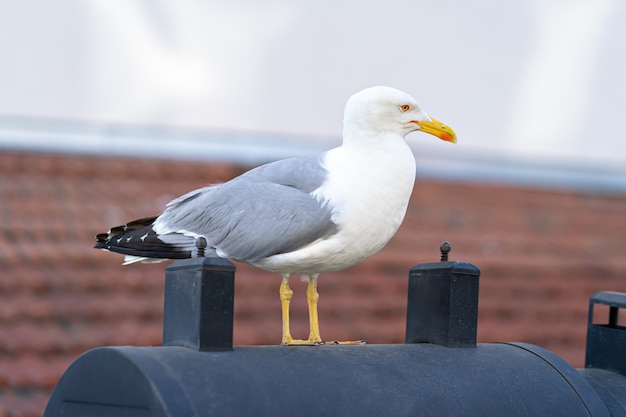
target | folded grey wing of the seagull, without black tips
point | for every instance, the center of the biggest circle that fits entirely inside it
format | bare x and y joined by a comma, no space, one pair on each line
255,215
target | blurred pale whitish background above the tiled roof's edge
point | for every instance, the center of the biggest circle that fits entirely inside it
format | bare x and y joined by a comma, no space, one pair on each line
543,79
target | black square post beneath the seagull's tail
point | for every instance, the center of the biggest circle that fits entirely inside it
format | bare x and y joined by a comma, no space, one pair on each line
199,296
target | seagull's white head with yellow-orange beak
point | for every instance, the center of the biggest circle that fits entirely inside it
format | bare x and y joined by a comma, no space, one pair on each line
387,110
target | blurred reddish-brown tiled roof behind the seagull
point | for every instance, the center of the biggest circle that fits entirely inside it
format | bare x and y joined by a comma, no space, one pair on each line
542,255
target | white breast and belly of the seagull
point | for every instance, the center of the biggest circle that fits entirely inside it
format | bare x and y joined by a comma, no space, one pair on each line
368,191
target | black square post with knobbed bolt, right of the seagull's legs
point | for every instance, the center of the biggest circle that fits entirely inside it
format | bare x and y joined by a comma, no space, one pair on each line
443,303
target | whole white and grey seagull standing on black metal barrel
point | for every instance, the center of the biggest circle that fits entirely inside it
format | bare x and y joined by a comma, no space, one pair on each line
298,216
